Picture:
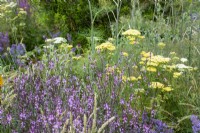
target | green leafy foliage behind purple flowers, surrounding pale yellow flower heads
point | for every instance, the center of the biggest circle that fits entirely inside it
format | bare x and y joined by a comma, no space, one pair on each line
174,22
